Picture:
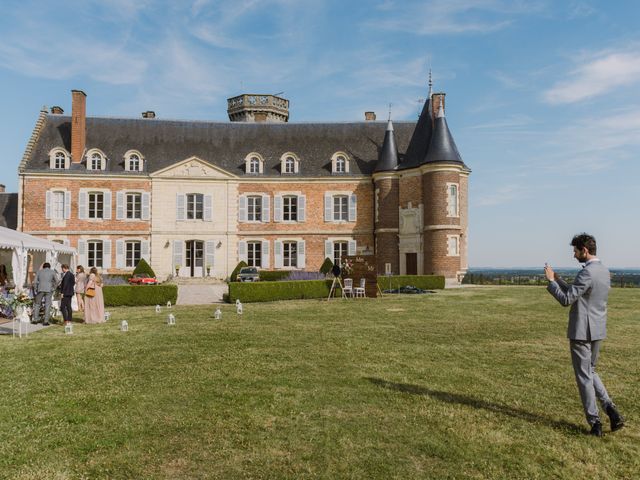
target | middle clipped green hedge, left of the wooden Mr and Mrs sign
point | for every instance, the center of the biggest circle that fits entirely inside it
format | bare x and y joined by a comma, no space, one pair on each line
270,291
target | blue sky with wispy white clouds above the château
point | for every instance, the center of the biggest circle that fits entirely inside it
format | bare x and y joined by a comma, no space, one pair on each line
542,96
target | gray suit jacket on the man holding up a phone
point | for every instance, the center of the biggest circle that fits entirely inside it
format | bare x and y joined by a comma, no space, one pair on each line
588,299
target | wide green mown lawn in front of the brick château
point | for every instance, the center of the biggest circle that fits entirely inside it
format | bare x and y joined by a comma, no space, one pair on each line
468,383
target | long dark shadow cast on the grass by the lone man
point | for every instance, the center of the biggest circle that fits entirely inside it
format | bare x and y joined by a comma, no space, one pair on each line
477,403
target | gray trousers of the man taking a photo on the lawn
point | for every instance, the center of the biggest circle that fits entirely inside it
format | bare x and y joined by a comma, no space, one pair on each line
584,356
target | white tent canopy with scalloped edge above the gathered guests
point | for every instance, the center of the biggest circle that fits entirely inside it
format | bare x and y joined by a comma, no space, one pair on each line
16,247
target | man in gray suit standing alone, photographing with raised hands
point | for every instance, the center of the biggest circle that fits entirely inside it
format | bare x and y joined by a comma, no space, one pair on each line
587,327
